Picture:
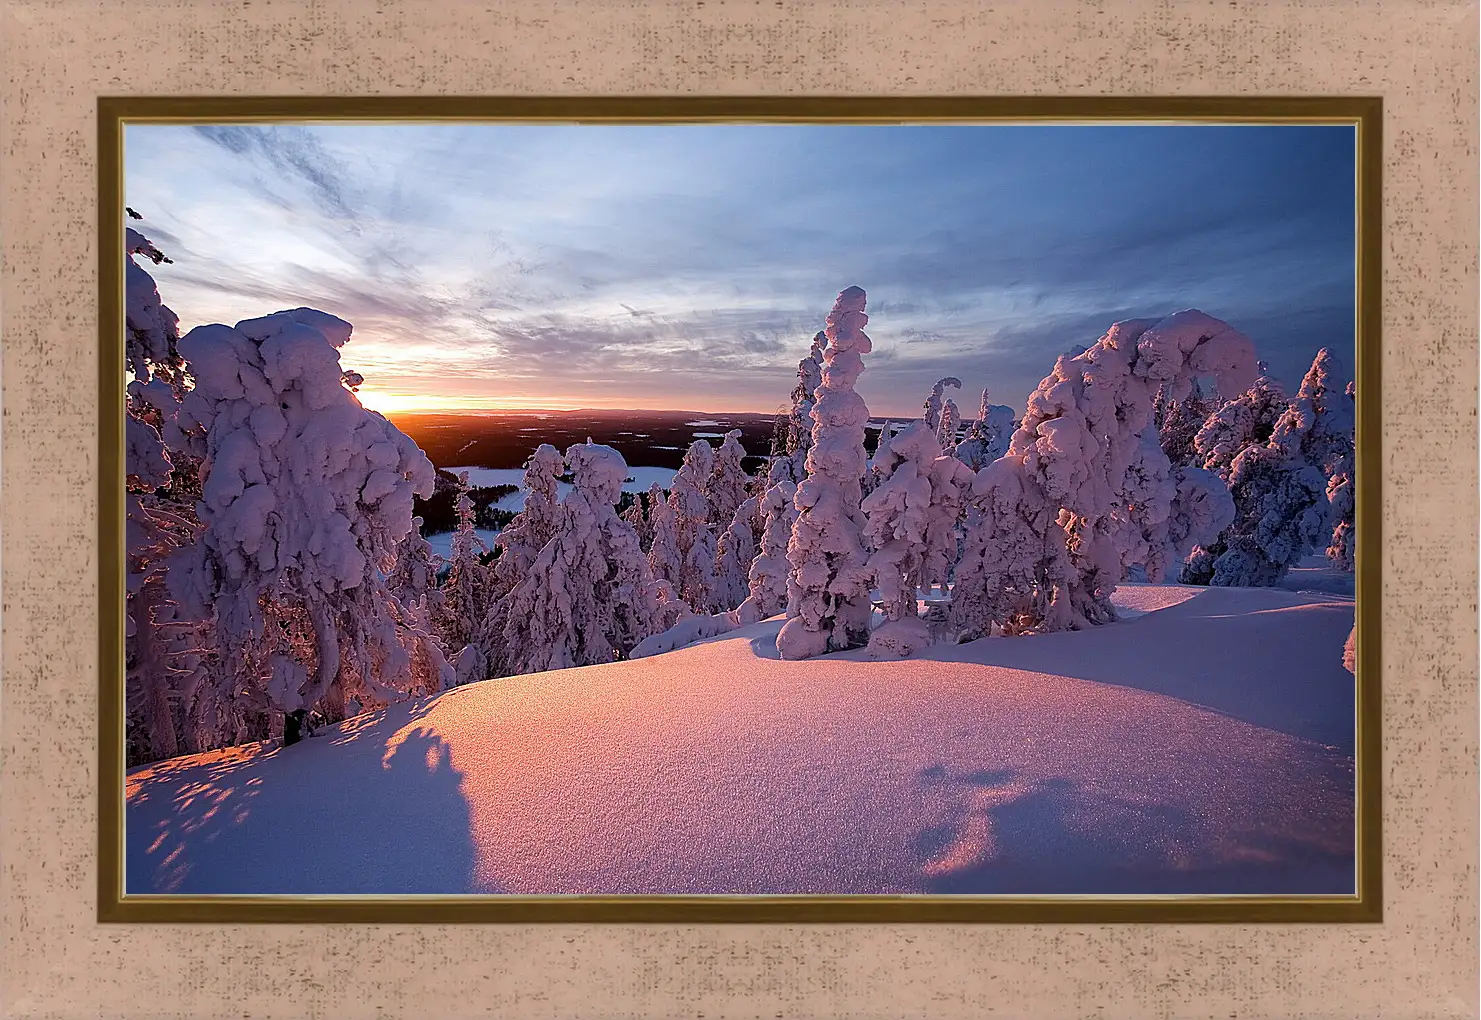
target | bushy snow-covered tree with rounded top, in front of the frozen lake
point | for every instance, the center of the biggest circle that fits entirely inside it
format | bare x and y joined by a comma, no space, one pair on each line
590,596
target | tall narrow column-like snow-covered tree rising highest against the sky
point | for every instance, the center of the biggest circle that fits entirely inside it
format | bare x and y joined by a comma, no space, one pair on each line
829,584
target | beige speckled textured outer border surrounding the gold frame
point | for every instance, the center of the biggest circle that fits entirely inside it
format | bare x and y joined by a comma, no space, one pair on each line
61,54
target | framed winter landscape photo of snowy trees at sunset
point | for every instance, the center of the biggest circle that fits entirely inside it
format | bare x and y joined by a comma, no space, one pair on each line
682,509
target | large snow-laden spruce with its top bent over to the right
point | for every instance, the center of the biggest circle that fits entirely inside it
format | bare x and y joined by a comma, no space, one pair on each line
1057,520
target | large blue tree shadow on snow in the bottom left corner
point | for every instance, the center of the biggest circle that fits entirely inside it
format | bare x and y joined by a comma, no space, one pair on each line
378,812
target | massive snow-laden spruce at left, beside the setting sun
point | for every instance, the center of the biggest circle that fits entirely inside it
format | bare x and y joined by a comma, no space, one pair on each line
304,503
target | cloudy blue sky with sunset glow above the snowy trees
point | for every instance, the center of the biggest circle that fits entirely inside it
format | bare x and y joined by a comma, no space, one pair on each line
689,266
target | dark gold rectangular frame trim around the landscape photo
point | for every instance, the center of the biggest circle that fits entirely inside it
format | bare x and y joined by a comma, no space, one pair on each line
1363,113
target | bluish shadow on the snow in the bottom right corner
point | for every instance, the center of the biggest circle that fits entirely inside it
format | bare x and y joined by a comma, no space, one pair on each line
1040,839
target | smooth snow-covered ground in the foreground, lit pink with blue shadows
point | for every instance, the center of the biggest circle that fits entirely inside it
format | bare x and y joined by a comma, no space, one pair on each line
1036,765
